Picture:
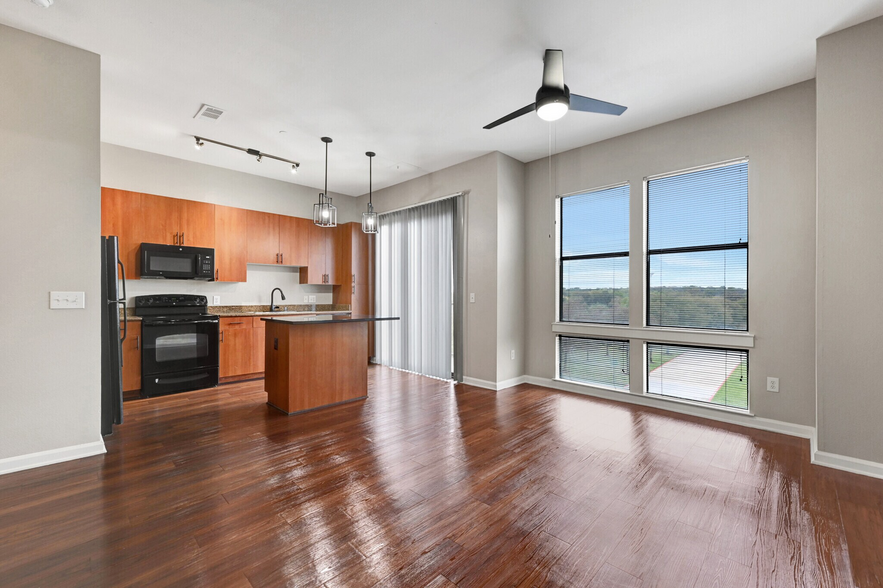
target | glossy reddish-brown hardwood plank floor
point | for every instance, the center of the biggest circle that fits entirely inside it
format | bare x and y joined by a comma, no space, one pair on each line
427,484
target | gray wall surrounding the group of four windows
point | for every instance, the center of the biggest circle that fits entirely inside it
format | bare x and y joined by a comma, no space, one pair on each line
777,132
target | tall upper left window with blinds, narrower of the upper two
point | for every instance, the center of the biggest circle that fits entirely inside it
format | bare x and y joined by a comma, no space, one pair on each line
594,257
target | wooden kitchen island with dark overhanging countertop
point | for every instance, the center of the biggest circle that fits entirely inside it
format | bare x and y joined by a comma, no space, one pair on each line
316,361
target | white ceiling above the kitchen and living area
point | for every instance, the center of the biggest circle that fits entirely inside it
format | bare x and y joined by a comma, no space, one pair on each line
415,81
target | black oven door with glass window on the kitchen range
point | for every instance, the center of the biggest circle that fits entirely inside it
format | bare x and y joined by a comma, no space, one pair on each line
177,345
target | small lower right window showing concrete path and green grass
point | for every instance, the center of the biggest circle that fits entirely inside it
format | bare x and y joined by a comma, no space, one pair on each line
715,376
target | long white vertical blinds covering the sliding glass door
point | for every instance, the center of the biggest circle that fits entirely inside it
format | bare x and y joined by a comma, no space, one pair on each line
414,281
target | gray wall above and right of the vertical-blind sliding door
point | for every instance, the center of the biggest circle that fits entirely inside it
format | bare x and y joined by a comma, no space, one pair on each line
478,177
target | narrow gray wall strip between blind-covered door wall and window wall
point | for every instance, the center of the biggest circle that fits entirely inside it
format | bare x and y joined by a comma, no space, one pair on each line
510,268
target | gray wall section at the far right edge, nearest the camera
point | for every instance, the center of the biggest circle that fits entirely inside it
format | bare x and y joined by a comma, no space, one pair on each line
850,264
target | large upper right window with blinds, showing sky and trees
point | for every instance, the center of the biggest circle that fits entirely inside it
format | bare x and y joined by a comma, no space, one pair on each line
697,236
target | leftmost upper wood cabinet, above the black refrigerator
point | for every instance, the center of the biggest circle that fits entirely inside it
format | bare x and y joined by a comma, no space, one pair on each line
121,217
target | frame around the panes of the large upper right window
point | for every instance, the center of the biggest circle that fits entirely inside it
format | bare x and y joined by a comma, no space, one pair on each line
694,249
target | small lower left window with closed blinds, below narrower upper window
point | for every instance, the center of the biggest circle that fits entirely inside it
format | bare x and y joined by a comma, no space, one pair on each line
599,362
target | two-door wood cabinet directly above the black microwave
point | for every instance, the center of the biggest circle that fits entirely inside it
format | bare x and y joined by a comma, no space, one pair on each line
172,221
